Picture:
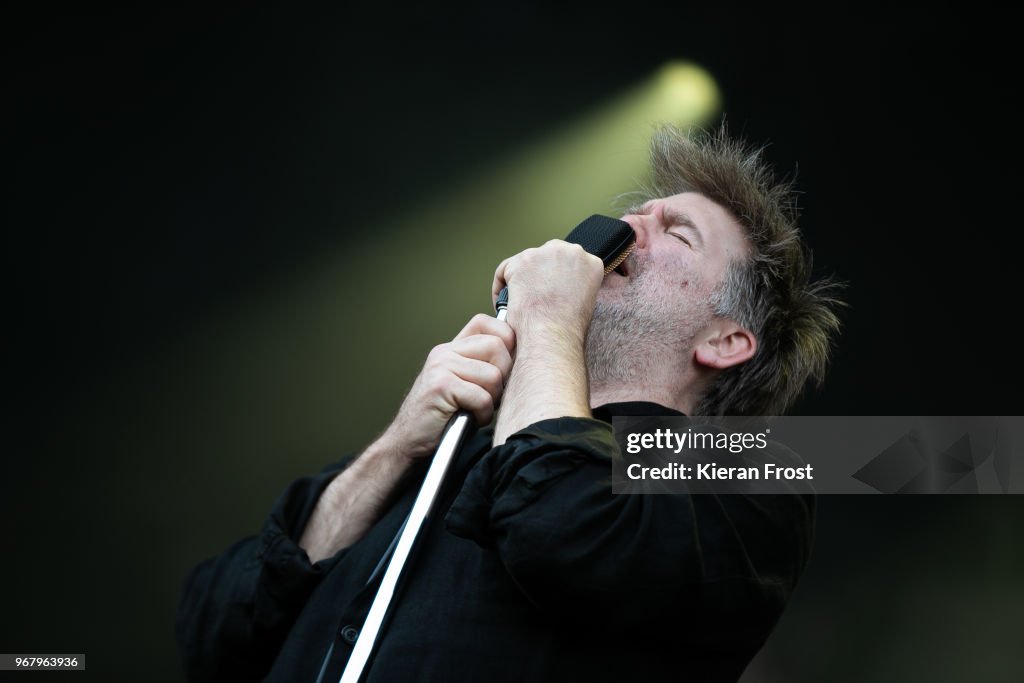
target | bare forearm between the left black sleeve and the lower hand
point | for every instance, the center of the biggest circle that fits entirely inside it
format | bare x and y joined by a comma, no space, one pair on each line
355,500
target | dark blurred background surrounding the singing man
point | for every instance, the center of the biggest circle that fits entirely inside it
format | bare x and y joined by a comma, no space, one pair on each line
170,176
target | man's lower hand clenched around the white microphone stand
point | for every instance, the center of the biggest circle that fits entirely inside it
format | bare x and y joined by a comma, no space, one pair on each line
470,373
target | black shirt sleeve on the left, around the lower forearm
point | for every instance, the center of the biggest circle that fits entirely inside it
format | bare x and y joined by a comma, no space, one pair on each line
237,610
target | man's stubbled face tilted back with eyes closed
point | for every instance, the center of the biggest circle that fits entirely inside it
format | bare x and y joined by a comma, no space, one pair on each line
663,293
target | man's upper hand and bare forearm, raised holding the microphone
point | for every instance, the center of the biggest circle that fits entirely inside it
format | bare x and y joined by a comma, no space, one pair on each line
552,291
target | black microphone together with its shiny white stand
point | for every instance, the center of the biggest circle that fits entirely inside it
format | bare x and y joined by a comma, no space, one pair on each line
609,239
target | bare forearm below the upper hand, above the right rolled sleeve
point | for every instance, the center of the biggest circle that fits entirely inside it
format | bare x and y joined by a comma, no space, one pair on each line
548,380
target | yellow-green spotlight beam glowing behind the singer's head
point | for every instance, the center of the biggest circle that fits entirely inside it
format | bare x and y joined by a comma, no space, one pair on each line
320,363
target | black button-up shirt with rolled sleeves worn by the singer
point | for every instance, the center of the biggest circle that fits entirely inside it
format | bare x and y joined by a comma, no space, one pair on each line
532,571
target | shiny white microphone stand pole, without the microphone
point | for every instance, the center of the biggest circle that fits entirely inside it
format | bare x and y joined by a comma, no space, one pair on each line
422,508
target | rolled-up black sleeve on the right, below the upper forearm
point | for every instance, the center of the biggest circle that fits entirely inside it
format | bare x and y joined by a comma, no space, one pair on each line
543,502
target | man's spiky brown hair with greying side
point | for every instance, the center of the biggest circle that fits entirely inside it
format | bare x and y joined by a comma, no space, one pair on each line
771,291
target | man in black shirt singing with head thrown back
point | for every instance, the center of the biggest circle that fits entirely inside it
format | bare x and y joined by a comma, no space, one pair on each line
533,570
